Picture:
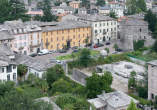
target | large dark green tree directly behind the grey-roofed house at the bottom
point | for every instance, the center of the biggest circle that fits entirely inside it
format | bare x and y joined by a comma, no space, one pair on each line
96,84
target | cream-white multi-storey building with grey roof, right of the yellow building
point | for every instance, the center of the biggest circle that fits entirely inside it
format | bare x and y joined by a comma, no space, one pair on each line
104,28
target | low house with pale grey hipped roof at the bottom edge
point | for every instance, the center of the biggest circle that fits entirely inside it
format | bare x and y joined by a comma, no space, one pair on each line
112,101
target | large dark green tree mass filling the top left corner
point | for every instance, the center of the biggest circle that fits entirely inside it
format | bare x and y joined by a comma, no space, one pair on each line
12,10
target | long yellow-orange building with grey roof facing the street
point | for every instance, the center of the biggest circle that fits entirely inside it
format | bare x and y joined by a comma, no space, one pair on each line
66,34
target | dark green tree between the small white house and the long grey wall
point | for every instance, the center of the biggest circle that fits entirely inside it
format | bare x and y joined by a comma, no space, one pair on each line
53,74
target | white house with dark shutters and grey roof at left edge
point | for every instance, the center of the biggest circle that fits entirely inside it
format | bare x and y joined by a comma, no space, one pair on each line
8,67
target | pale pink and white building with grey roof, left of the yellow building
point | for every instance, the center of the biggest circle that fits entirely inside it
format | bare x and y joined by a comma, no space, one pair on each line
27,36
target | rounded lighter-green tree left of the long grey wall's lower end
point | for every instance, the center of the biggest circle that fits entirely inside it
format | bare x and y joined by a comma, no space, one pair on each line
61,86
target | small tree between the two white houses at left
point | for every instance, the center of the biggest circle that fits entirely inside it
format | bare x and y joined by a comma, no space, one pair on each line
22,70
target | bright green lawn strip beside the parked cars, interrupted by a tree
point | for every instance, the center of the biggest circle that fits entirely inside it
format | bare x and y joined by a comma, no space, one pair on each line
75,55
